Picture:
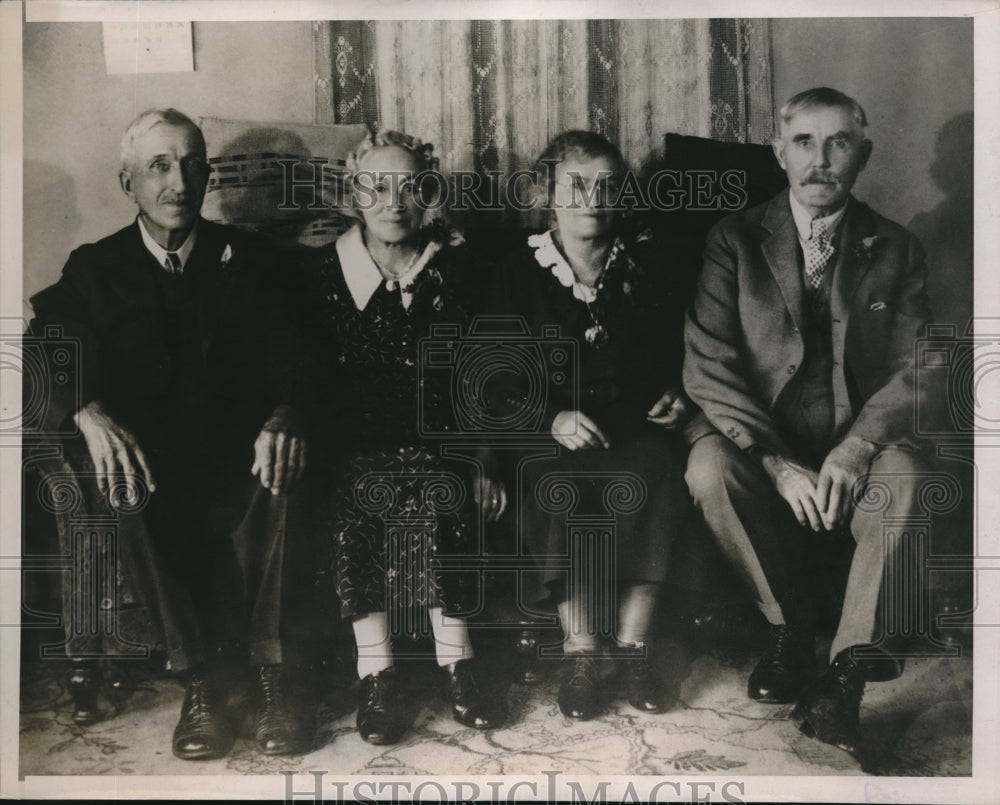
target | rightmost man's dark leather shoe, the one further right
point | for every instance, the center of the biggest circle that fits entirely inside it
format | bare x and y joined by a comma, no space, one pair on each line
830,708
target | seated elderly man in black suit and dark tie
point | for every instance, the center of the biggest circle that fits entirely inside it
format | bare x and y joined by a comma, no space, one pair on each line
190,383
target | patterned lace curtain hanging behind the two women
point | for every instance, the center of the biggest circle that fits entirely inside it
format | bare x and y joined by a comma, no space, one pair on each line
490,94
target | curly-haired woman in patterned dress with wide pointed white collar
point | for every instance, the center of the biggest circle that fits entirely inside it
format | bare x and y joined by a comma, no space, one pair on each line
397,505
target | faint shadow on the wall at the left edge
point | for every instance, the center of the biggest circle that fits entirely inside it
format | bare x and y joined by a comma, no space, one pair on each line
50,207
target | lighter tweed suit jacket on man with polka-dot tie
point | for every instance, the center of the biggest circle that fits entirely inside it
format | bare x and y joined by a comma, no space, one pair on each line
743,334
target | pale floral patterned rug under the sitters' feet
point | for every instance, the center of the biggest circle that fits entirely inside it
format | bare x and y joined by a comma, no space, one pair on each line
917,725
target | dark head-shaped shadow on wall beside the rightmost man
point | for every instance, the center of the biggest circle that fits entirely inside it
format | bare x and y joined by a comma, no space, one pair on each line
946,231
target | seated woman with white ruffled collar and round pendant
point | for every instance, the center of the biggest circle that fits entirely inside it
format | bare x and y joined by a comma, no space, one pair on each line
614,494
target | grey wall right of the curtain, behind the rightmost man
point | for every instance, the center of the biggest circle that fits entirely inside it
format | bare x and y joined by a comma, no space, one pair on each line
914,78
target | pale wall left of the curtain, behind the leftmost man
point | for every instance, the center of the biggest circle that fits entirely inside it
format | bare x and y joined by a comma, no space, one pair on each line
74,114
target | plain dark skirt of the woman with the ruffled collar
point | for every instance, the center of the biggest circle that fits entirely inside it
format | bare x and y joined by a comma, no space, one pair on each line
603,517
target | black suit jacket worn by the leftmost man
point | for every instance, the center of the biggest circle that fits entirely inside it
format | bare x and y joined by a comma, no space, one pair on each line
109,300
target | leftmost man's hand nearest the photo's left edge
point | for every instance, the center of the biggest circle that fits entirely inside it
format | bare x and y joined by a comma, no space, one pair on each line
113,449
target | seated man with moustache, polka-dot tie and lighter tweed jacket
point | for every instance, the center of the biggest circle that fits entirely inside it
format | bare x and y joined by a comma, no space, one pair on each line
799,351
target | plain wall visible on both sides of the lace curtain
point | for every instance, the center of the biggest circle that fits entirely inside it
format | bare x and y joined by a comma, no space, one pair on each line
913,76
